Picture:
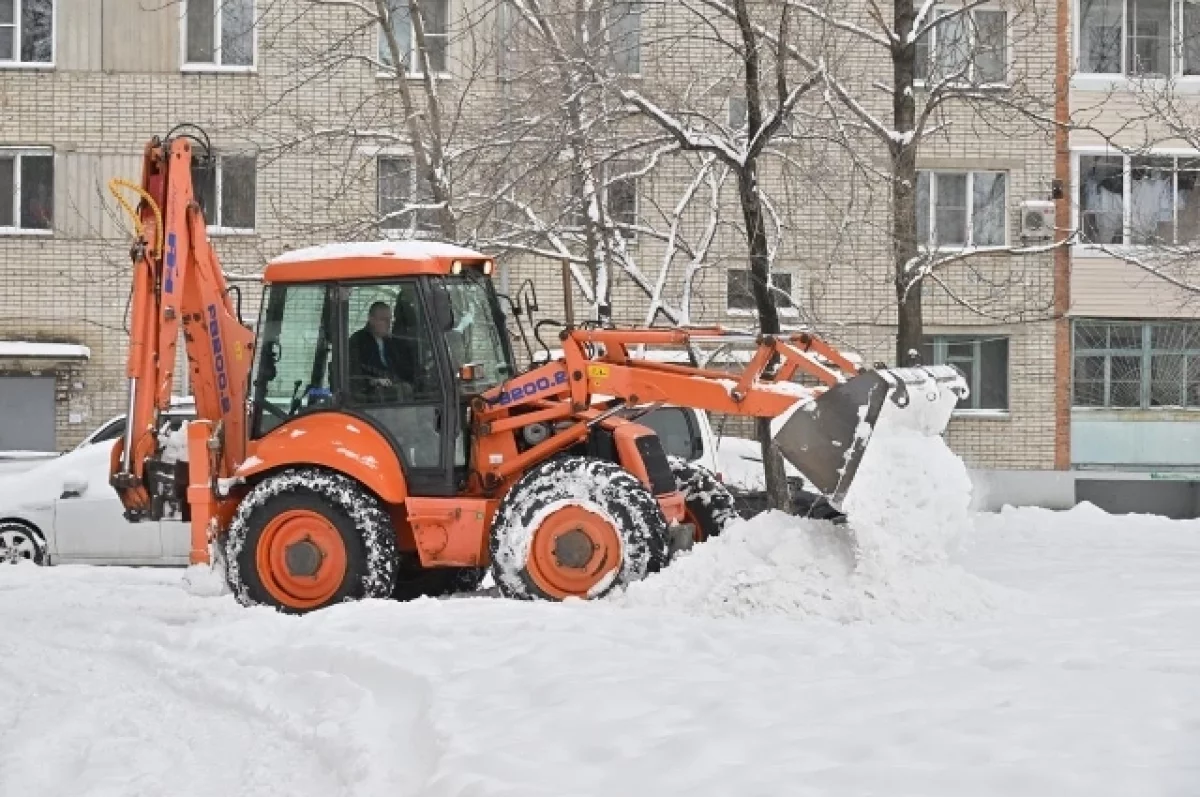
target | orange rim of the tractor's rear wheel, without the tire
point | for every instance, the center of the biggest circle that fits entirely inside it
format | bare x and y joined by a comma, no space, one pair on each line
302,559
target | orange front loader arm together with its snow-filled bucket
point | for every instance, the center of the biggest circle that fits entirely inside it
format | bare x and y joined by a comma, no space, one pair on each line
823,430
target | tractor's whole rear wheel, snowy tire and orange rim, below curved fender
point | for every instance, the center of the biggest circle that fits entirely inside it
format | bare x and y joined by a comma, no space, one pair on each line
307,538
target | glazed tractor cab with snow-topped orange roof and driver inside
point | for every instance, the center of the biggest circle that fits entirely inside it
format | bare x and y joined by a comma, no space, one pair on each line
400,335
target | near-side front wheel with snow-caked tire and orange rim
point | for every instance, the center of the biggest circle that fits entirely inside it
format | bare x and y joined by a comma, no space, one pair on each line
577,528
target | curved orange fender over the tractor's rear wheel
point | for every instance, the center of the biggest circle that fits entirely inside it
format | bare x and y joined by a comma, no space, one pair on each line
335,441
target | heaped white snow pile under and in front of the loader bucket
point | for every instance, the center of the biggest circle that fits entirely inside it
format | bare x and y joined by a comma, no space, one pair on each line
908,508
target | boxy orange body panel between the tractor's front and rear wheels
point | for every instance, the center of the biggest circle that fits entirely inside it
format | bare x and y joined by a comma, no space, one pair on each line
451,531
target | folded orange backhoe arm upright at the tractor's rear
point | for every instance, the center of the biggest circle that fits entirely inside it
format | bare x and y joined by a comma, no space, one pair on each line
178,284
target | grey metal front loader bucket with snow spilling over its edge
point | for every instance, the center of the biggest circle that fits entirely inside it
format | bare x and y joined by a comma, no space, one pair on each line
826,438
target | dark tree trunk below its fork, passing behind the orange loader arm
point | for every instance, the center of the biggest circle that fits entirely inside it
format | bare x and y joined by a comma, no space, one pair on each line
778,494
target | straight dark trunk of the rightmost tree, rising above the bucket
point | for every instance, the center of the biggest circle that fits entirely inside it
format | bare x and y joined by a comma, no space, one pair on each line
905,247
